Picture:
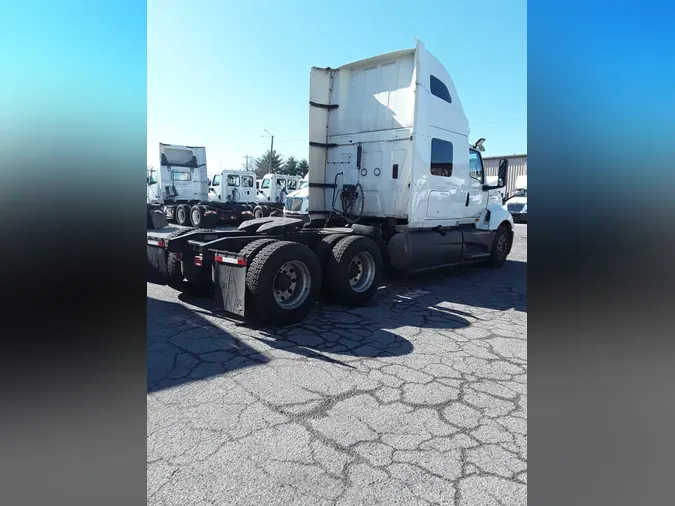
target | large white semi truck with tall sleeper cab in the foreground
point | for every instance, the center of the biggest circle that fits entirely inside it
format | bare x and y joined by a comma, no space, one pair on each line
393,181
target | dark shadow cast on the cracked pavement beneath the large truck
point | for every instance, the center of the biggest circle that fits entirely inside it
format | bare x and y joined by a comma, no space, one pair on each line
193,348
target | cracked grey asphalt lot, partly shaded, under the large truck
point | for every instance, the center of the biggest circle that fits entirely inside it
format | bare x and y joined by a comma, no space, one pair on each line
418,398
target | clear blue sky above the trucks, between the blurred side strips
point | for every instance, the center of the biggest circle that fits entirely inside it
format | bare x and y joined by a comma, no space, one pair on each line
220,72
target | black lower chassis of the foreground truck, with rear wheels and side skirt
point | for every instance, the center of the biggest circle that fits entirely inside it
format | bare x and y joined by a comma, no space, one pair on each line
274,269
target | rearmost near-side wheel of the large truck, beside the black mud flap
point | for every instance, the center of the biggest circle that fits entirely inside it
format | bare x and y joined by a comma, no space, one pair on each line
283,283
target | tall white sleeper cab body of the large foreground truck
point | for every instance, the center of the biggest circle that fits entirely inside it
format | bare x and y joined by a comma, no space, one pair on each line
386,106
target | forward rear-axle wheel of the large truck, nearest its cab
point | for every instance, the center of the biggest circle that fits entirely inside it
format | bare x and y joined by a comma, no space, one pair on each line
354,270
